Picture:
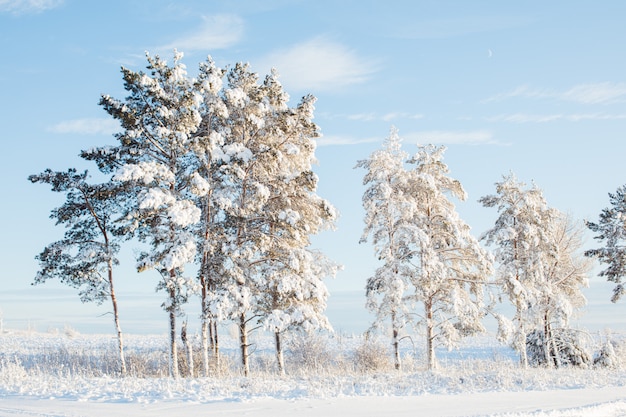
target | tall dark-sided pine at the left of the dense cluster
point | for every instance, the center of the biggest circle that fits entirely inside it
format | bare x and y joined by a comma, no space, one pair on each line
159,117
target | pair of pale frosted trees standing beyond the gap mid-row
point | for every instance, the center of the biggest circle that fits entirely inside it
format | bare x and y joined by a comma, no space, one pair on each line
429,256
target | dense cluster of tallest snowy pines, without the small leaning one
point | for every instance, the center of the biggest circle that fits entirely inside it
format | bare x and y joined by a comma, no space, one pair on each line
221,175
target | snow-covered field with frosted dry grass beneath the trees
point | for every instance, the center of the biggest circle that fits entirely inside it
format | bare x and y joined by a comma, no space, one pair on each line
63,373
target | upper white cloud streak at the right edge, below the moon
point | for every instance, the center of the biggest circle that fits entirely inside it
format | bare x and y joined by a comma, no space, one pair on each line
593,93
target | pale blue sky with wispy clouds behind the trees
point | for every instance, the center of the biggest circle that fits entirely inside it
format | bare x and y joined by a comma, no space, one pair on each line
536,88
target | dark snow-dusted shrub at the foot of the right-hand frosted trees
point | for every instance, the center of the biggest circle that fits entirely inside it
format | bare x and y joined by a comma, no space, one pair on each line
570,348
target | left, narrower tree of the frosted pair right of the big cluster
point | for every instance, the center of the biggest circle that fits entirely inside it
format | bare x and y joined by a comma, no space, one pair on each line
389,224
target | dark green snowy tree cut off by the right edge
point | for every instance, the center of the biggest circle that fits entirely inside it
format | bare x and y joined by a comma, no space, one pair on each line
611,231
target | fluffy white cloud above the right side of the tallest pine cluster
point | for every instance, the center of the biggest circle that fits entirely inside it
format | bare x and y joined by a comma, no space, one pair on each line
319,64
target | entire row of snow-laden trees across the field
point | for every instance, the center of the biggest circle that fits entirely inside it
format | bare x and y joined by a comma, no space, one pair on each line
215,171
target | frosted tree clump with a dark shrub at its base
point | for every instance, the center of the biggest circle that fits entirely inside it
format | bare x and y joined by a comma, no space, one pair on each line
539,267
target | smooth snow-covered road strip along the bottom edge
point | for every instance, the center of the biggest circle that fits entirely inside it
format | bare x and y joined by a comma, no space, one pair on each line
581,402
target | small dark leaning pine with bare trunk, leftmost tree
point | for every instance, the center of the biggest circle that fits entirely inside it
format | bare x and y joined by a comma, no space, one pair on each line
85,257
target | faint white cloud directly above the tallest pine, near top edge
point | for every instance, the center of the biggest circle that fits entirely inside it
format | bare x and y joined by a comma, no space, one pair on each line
215,32
